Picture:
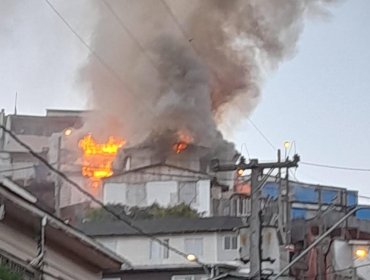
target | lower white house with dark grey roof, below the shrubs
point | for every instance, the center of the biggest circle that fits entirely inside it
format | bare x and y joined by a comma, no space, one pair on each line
213,240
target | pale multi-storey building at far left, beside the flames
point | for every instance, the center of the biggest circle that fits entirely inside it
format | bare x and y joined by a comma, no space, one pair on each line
35,131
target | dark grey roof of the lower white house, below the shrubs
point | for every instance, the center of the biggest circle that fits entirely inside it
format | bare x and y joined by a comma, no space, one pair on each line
168,225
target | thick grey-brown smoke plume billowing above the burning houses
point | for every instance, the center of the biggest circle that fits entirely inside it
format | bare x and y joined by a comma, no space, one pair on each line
186,65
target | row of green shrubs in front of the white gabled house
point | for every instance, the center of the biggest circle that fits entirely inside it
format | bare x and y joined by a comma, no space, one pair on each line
150,212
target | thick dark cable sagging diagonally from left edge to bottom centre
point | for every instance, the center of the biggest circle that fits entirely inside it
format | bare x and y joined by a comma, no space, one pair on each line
128,222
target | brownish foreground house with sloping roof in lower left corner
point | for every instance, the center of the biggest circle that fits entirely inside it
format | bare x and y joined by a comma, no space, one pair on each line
36,245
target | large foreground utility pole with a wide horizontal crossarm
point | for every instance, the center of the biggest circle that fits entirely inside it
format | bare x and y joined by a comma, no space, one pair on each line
257,170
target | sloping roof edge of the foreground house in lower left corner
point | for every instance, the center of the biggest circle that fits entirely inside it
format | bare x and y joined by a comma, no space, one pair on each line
20,205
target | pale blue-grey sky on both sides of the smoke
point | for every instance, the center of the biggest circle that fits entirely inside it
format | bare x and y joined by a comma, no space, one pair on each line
318,99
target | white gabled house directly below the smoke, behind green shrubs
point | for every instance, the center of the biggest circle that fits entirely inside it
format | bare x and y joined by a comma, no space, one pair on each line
164,184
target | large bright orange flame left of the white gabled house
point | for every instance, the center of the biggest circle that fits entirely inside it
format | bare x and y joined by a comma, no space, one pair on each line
98,157
